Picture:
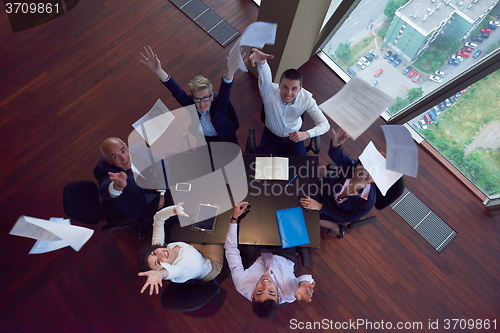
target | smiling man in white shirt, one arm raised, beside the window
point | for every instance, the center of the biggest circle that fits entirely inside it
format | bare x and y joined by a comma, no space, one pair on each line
284,104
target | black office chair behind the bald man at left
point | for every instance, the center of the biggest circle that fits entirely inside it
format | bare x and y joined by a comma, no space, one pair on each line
81,203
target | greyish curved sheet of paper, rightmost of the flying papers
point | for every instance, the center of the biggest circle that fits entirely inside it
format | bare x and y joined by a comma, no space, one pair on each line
402,152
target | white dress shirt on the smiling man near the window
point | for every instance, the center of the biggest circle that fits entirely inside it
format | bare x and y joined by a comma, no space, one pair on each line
283,119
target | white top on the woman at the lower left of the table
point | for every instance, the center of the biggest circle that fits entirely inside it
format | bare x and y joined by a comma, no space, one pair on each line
189,264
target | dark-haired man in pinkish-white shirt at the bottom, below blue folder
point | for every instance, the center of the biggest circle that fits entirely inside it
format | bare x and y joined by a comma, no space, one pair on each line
270,280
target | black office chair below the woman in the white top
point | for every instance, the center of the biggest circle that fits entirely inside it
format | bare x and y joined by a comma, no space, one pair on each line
189,296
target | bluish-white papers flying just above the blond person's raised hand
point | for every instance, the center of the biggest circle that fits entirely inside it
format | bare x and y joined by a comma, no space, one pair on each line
257,35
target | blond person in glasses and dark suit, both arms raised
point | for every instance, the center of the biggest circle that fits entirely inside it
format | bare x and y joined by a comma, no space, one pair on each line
217,117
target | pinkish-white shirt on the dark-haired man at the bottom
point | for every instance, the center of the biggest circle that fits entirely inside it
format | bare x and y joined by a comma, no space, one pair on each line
245,280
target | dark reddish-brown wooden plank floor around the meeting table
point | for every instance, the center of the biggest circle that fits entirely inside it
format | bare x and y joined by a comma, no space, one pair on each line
70,83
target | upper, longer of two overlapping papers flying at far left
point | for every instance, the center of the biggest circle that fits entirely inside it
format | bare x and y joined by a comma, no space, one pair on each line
44,230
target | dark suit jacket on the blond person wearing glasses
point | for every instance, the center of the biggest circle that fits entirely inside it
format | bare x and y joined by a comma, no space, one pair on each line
225,128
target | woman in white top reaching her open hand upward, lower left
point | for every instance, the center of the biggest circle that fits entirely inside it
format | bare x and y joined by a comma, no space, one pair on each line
177,261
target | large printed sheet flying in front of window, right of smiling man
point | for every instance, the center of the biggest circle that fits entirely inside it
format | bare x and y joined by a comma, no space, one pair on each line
356,106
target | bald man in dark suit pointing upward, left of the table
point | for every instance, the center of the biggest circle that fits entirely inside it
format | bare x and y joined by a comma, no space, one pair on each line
116,182
